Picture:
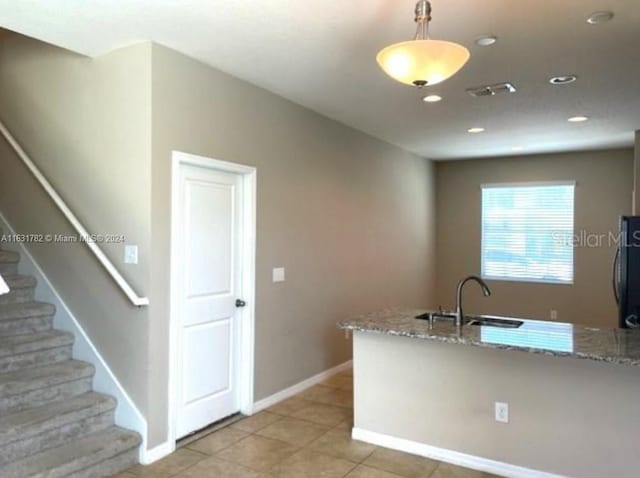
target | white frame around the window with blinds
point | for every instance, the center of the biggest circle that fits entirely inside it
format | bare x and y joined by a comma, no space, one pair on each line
482,226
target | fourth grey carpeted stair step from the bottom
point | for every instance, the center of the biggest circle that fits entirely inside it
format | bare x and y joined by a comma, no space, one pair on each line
30,350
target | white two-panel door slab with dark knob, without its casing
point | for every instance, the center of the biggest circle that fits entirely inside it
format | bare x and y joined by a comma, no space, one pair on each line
209,256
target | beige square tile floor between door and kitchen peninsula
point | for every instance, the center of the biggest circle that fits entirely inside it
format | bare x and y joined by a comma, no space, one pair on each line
307,436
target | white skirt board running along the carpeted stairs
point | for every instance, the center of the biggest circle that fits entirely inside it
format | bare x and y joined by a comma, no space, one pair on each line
127,414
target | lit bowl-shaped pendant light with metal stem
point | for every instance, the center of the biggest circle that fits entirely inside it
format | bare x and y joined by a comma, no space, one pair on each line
422,61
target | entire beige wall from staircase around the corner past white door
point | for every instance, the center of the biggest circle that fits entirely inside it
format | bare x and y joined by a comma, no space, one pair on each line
350,217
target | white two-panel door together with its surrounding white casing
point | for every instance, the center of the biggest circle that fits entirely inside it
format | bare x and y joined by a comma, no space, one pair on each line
213,250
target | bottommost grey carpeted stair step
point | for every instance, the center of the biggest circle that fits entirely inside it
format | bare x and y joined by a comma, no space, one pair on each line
100,454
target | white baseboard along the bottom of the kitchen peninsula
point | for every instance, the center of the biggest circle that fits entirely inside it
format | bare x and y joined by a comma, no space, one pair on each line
449,456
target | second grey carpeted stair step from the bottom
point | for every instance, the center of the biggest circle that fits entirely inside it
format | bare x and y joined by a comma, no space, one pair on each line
36,429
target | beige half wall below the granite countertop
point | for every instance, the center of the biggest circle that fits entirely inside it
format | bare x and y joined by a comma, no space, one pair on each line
571,417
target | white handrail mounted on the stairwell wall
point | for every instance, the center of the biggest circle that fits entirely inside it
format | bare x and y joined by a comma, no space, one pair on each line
71,217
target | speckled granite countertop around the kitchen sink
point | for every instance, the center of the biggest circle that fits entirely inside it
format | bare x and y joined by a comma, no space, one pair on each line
620,346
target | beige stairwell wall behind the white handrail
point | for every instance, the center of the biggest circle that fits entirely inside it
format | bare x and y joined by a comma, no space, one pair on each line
87,125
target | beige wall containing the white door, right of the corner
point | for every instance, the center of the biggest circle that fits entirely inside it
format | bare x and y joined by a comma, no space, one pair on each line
350,217
